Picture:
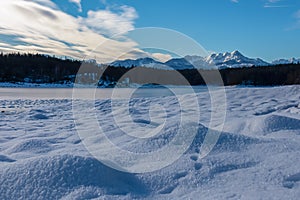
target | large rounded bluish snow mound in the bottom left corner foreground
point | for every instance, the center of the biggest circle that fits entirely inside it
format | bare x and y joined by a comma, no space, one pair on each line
58,176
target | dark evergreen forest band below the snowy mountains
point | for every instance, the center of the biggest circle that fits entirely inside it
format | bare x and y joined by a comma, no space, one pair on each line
38,68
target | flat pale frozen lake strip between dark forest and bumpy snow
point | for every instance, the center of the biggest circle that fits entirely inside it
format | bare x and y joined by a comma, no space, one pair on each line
87,93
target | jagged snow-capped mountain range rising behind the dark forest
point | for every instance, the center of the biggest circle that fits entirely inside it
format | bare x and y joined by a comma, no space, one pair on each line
234,59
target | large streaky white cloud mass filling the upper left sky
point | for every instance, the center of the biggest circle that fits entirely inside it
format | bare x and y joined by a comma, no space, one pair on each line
39,26
